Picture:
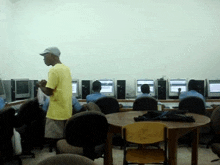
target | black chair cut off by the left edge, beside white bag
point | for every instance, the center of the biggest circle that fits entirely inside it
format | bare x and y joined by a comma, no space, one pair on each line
7,122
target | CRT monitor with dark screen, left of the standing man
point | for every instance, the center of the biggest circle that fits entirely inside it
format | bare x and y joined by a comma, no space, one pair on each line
22,88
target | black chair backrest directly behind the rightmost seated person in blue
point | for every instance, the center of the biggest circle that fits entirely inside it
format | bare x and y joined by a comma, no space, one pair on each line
193,104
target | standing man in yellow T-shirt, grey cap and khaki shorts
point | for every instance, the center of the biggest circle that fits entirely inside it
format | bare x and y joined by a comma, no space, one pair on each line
59,88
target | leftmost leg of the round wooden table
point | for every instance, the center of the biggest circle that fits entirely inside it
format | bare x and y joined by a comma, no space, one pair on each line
108,150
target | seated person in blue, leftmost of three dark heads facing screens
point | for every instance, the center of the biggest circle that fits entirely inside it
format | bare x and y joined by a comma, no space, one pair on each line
96,87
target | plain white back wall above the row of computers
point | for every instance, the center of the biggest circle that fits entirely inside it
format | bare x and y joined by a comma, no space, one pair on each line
121,39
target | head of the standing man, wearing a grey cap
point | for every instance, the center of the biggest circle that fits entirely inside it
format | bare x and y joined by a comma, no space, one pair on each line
51,56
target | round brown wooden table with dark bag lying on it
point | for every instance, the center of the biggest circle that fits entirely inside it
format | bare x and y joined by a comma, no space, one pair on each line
175,131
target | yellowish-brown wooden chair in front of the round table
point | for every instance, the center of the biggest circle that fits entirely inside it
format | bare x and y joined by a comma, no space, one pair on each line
145,133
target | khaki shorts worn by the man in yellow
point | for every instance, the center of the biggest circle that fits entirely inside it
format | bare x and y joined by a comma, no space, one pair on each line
54,128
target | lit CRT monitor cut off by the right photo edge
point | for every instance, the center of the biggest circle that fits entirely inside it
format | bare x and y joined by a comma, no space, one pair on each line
213,88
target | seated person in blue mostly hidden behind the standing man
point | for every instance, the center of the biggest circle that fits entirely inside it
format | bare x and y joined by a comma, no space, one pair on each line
76,105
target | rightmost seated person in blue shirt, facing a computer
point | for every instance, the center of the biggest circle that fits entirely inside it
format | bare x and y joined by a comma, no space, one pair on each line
192,86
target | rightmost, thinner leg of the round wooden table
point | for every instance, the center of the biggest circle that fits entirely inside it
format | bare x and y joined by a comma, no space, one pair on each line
195,144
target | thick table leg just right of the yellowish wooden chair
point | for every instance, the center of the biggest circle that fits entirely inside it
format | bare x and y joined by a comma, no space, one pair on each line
172,147
